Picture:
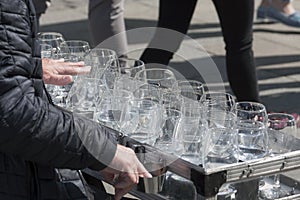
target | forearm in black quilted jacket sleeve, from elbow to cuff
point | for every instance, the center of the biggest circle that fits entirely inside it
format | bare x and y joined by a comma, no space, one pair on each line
48,135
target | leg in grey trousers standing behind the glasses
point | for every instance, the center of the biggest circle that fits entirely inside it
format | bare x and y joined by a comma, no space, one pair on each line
106,19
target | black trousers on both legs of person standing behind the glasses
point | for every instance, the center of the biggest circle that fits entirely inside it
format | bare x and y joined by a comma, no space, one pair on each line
236,20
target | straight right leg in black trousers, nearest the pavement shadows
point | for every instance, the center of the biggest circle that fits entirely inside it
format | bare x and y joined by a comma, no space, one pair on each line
236,18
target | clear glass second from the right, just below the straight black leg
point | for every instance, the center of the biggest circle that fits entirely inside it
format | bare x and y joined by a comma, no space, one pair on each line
252,134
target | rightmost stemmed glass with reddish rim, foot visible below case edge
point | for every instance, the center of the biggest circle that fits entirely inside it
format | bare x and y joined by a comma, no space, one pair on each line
281,130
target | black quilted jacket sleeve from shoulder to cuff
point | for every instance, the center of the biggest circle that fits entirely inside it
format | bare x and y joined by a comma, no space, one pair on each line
30,127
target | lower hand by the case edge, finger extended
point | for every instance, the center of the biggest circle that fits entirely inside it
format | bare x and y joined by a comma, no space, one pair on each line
124,171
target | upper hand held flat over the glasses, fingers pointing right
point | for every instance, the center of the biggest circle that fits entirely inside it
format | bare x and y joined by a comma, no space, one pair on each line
58,72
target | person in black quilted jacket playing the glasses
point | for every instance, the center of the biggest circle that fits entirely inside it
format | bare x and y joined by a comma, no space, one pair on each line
41,145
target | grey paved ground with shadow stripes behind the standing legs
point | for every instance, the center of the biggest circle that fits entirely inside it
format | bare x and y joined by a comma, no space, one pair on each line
276,46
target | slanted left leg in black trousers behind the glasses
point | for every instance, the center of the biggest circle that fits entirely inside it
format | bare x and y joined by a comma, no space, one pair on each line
173,15
